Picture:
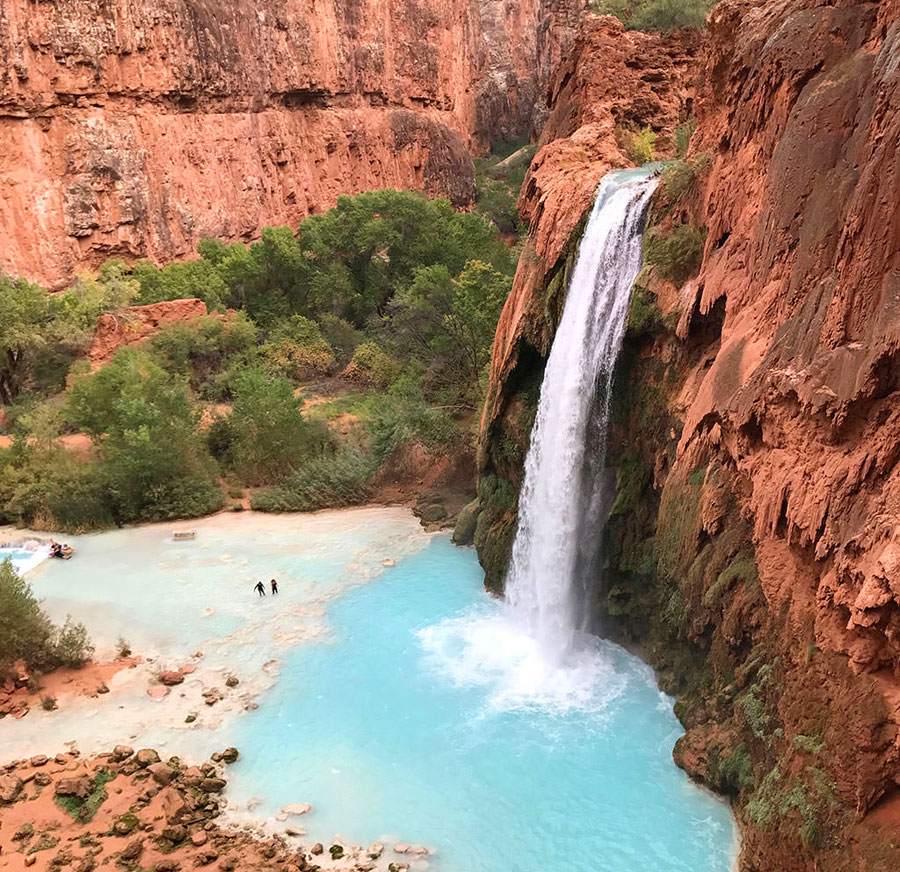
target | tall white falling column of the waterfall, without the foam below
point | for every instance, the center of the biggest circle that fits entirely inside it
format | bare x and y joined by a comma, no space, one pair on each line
561,504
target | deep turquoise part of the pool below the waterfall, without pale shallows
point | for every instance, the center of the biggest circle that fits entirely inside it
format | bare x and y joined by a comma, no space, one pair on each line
391,731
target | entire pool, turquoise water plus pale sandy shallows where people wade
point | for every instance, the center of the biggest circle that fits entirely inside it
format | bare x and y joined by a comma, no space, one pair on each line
375,705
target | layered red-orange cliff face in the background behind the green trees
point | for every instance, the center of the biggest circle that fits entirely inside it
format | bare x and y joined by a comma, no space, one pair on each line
134,129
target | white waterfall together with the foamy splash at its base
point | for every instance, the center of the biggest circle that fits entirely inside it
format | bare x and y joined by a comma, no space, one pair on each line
524,654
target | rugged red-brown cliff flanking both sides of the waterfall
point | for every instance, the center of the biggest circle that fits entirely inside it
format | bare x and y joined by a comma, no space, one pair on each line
752,546
